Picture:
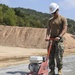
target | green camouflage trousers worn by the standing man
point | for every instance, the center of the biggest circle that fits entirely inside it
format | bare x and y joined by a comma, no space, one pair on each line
56,53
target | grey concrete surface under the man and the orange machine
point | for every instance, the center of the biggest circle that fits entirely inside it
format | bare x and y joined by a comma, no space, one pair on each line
68,69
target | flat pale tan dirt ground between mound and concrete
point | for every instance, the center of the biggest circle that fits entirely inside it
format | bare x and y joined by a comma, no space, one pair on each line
15,55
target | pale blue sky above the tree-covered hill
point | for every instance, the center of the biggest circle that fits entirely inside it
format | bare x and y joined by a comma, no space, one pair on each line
67,7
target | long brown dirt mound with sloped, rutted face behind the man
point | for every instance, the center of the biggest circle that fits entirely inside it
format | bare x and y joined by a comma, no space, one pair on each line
28,37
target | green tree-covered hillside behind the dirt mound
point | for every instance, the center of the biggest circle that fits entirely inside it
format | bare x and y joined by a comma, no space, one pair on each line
27,18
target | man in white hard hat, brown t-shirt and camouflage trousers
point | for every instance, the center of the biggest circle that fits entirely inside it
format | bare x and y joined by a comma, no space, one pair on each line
56,29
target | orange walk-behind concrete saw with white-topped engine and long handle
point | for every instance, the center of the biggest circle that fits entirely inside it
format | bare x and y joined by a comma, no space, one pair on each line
39,64
